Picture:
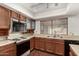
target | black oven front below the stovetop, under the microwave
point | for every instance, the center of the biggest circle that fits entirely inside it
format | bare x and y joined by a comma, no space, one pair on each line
22,47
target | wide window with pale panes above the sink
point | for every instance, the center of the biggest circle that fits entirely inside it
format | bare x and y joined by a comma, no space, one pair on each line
58,26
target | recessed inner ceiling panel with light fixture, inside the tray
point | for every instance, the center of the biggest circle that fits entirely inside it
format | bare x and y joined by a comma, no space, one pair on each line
42,7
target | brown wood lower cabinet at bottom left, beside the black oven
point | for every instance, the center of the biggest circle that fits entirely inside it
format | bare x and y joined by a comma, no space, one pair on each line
8,50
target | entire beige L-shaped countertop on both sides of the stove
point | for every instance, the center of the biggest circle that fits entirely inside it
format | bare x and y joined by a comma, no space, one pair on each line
27,37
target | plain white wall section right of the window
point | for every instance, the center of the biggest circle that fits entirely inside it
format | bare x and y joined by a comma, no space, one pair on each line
73,25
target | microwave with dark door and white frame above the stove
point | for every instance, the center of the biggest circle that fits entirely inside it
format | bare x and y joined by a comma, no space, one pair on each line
17,26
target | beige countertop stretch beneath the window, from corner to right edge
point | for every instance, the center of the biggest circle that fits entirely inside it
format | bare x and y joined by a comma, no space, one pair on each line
61,38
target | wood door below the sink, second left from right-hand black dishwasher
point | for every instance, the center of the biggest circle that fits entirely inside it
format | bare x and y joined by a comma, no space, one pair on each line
50,46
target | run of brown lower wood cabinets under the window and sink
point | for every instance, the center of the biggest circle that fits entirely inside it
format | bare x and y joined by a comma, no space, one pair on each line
55,46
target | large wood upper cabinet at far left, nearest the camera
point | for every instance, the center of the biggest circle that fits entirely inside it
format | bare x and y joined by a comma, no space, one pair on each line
4,18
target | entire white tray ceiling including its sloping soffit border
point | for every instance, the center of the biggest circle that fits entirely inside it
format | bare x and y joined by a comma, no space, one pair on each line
39,11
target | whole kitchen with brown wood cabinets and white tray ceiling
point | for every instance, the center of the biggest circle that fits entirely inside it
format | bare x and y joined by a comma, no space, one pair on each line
39,29
